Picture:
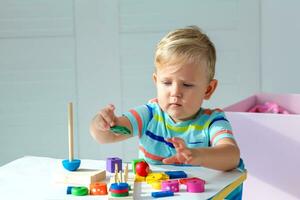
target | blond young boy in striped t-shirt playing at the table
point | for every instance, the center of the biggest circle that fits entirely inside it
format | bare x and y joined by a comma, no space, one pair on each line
174,128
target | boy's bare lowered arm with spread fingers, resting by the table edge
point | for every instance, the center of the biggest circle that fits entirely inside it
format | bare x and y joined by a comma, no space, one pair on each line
225,155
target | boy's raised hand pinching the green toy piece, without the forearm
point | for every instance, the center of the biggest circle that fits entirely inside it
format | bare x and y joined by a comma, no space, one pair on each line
106,118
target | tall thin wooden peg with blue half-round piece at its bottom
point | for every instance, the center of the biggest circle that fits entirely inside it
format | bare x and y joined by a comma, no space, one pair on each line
71,164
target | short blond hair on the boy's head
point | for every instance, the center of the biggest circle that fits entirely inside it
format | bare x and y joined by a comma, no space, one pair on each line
186,45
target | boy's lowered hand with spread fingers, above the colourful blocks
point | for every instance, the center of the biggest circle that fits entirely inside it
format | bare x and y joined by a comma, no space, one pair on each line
183,155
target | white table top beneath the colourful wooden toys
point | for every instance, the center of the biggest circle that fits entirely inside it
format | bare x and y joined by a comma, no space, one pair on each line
32,177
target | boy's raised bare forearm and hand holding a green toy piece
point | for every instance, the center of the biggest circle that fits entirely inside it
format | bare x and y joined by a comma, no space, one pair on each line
103,121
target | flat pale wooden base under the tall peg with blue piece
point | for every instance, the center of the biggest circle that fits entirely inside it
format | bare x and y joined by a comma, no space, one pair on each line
81,177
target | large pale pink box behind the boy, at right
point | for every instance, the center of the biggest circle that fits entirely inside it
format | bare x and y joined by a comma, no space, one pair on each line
269,143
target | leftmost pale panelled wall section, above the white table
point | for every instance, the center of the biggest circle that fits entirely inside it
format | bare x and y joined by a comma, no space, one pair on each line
37,77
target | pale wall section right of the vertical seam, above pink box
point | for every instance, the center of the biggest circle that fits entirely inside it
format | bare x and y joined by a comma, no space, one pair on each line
280,30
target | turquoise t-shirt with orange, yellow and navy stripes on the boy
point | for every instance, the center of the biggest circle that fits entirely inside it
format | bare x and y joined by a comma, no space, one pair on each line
153,127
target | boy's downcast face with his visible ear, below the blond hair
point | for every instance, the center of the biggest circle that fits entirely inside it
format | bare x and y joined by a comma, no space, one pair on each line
181,89
